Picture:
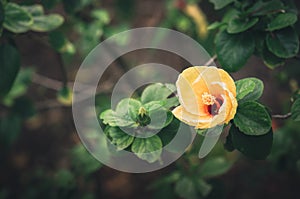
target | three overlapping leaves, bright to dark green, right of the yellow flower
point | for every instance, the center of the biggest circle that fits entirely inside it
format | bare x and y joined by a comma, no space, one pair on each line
251,131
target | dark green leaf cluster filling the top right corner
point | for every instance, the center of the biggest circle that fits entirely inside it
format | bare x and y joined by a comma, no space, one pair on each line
266,28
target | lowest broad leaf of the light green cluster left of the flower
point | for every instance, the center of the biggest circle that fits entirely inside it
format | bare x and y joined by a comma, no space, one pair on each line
148,149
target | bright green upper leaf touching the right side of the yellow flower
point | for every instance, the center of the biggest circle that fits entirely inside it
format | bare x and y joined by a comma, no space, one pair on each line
249,89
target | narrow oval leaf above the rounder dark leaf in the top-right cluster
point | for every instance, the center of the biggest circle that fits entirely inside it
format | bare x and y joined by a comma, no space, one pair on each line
282,20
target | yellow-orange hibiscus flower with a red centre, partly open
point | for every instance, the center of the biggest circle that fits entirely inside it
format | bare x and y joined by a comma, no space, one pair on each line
207,96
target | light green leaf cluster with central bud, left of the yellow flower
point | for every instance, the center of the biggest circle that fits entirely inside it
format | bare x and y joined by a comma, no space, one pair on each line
142,116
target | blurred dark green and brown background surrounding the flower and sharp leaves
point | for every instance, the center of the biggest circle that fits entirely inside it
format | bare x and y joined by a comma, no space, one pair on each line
41,155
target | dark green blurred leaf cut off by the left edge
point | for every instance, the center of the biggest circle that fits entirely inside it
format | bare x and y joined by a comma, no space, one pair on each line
9,67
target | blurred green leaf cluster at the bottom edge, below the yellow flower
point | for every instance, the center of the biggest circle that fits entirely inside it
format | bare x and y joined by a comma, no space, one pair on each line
196,181
